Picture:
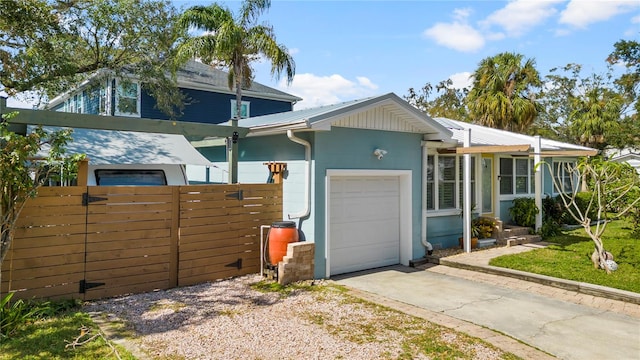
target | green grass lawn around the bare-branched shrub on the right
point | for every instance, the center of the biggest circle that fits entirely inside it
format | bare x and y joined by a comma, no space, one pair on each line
569,257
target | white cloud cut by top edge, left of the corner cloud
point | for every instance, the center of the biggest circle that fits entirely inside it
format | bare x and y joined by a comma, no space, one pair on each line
519,17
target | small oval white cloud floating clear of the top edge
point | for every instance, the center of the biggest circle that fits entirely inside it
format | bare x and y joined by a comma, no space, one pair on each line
458,36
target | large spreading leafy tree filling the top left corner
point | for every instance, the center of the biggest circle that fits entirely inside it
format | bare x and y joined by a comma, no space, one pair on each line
50,45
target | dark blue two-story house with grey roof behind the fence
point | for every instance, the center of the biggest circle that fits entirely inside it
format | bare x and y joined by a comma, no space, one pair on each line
206,88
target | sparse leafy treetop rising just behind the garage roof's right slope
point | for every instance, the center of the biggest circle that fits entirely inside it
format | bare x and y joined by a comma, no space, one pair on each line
450,103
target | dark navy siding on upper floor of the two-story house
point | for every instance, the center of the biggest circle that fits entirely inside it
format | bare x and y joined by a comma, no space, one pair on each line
211,107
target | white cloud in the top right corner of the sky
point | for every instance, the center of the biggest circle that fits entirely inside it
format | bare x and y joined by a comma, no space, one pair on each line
581,13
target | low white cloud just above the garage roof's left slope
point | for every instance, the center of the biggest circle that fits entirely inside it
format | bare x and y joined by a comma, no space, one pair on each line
325,90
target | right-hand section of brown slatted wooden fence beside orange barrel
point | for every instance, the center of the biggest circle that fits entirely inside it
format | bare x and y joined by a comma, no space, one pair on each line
220,229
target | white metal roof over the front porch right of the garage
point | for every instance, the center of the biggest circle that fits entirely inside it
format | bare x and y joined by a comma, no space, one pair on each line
482,135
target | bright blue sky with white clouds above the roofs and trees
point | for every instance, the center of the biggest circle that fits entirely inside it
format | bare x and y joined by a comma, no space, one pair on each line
346,50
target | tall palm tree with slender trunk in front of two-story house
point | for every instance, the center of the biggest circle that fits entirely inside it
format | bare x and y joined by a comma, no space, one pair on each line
233,43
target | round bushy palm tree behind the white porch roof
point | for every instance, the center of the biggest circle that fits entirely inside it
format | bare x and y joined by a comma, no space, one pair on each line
502,92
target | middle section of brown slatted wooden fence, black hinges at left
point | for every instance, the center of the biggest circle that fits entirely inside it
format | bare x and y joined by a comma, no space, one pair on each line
129,239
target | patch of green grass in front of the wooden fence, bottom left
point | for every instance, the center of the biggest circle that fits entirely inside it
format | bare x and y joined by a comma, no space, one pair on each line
48,339
